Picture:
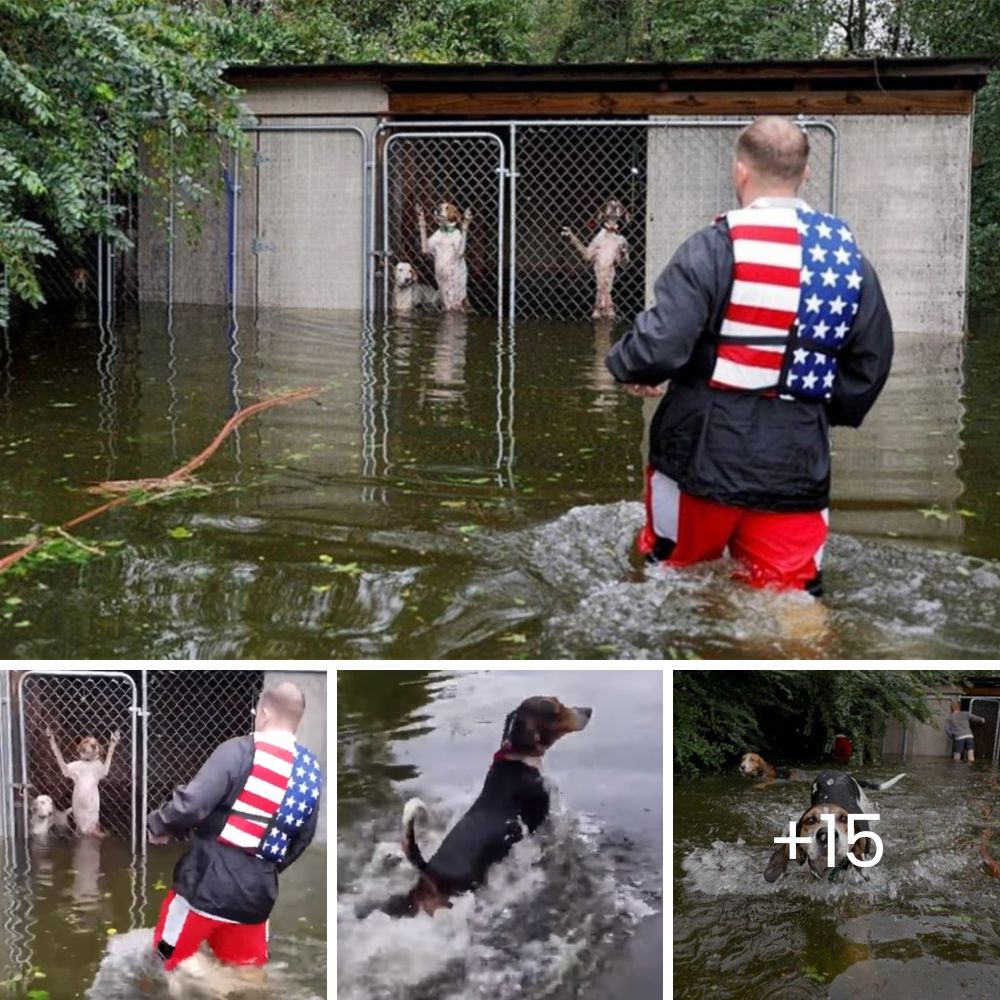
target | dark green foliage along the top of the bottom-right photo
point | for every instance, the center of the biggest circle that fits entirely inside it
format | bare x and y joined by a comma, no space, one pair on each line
718,714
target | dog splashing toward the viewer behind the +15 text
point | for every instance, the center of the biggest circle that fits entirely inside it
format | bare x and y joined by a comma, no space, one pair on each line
837,794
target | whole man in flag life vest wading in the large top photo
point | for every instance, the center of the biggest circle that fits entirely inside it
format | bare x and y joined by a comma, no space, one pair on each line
770,327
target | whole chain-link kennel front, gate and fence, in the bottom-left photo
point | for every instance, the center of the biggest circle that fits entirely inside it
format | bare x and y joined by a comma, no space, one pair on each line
170,722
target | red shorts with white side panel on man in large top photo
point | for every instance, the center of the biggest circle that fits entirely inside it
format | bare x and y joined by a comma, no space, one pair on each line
776,549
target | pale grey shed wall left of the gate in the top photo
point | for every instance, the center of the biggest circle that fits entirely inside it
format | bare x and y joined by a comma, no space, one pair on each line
303,203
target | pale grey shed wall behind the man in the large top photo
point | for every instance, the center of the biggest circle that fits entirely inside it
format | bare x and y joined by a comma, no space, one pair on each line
904,189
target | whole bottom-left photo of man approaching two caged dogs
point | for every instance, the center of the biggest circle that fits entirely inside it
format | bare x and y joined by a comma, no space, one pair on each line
163,834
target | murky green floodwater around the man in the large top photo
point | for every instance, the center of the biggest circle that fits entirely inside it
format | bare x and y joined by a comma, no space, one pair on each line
455,490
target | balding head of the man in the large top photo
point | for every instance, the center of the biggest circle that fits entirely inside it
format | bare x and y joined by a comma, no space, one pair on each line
771,159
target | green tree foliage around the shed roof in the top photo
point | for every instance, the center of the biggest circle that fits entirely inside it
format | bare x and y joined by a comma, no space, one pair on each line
86,84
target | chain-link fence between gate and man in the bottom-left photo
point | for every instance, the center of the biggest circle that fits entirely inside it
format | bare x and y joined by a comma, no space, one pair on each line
188,714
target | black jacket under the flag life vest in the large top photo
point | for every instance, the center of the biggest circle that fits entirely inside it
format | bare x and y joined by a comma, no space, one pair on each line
741,448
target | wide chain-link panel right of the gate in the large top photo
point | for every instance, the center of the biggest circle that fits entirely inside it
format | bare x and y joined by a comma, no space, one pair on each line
672,177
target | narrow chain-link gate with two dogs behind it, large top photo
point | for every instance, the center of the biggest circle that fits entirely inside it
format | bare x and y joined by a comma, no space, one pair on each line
425,168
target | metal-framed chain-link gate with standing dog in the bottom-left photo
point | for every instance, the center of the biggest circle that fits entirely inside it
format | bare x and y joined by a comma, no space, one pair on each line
75,704
